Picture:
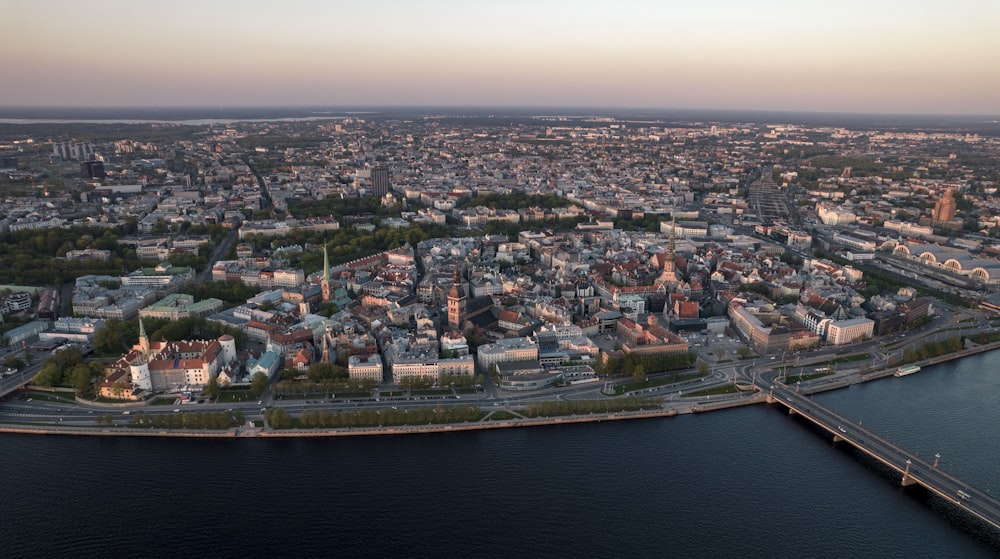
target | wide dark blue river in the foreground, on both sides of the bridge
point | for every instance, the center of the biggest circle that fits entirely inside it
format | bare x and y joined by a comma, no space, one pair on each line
747,482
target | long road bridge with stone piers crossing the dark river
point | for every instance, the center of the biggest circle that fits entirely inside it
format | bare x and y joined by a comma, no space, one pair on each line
912,469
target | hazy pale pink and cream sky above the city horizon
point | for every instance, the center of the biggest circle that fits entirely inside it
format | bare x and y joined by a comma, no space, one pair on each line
870,56
